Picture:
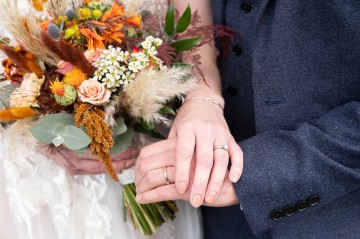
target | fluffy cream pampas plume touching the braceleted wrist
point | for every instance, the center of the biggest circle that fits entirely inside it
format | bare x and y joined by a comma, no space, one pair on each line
150,91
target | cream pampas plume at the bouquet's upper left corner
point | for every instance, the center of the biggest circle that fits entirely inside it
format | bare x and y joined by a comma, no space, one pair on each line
25,30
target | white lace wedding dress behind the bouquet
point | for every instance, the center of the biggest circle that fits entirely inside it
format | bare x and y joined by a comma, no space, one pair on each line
38,200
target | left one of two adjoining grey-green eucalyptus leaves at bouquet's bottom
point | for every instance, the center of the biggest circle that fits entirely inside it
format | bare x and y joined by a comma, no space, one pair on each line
46,132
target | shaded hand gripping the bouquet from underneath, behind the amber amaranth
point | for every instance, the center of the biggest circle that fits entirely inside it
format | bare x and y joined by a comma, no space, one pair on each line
87,163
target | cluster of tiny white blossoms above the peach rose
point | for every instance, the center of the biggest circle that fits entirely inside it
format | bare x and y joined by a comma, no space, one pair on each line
117,68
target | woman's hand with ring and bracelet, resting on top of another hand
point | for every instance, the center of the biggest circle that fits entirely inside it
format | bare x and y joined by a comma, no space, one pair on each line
200,127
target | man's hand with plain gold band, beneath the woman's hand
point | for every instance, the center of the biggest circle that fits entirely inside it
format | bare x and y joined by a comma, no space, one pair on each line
150,178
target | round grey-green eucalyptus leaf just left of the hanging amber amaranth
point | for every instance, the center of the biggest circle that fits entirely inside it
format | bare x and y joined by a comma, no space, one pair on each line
75,138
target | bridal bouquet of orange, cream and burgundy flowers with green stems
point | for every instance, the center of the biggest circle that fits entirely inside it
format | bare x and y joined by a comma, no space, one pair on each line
91,74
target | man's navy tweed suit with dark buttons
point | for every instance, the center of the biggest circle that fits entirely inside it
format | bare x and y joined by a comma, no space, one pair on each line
292,93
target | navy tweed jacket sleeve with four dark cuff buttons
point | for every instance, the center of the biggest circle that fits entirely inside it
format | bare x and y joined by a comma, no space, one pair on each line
281,168
